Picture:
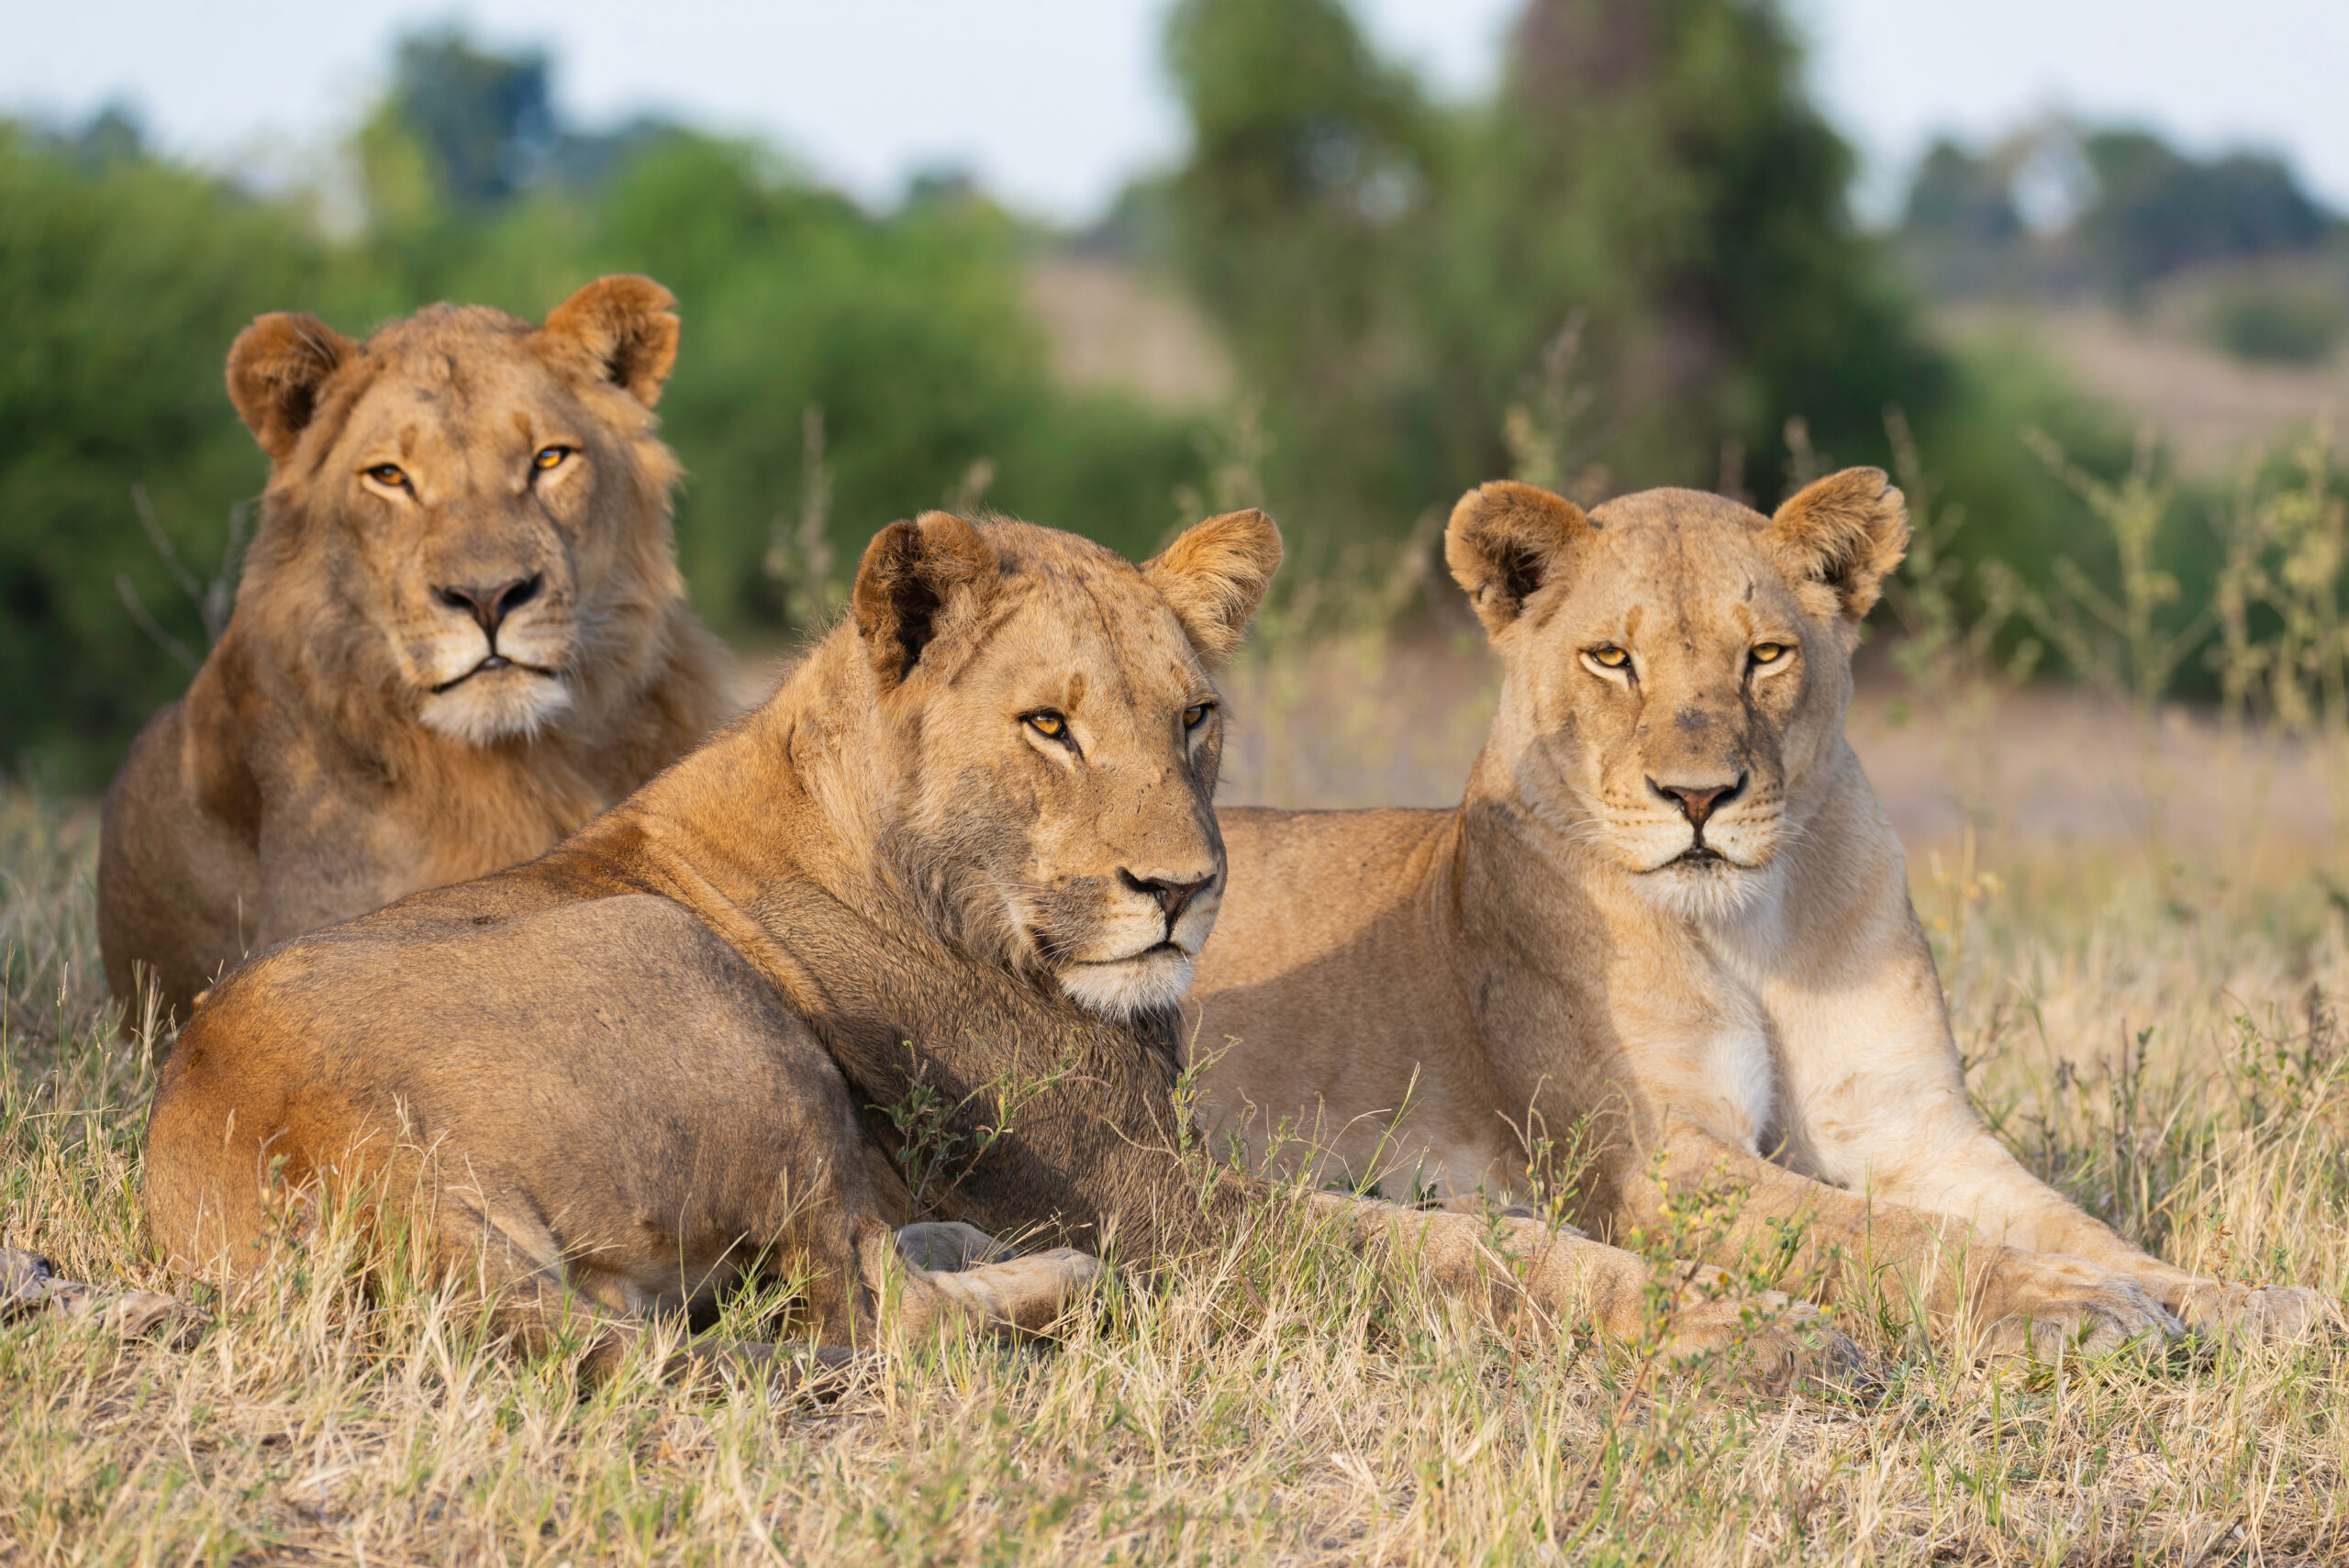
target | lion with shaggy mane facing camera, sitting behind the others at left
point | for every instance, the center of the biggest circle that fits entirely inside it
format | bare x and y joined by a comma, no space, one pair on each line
314,771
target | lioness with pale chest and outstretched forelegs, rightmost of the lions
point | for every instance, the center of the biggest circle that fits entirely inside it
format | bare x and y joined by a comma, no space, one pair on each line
1549,959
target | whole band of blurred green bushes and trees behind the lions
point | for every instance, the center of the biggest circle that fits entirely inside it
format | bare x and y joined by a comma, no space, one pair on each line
1631,264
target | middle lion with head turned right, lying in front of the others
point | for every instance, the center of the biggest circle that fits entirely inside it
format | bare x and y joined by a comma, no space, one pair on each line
971,839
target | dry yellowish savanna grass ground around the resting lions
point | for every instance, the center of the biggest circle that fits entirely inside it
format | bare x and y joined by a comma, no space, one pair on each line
2143,938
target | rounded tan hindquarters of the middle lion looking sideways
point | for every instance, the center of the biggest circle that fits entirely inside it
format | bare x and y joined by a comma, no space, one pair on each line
502,1008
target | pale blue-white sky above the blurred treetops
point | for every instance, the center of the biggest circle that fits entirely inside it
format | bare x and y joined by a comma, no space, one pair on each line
1056,102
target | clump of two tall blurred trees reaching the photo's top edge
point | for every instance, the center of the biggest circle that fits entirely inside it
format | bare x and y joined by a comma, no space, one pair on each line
1650,170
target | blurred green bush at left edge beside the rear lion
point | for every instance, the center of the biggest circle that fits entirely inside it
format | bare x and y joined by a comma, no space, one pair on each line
121,285
